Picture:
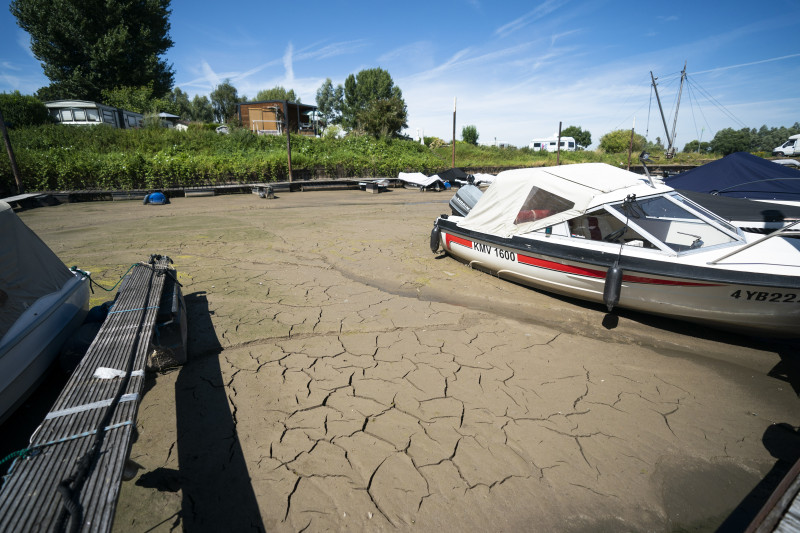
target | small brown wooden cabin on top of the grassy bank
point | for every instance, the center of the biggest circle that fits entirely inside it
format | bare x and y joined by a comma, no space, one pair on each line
270,117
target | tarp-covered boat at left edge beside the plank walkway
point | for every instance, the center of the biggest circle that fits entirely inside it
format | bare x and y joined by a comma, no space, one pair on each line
42,303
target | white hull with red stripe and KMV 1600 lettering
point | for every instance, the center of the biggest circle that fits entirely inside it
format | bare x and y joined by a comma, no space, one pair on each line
757,304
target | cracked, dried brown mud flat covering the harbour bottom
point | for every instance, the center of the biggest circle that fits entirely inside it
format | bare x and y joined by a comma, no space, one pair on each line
342,377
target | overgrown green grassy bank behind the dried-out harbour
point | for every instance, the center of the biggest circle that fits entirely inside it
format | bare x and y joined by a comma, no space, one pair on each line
57,157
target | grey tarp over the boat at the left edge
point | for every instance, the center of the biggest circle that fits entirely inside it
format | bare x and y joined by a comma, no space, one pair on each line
28,268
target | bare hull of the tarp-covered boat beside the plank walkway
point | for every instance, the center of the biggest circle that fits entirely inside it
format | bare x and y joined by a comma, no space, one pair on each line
31,346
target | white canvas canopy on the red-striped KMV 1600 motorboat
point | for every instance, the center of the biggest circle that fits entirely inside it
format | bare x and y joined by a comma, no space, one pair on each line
585,186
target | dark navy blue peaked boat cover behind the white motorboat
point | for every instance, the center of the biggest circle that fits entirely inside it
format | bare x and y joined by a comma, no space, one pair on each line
741,175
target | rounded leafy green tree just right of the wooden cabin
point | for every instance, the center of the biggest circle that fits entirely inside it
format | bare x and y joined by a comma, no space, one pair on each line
366,87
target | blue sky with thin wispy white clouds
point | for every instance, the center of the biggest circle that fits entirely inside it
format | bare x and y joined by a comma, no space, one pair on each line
517,68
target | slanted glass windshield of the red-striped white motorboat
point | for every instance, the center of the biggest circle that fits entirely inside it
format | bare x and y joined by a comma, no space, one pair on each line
669,219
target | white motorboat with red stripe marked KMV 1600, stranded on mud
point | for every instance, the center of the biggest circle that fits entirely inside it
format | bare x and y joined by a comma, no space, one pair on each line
598,233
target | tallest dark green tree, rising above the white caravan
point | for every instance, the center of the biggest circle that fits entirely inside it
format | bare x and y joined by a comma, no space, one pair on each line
86,47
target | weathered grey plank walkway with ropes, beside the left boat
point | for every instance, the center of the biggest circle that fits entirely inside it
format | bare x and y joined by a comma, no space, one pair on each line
72,480
